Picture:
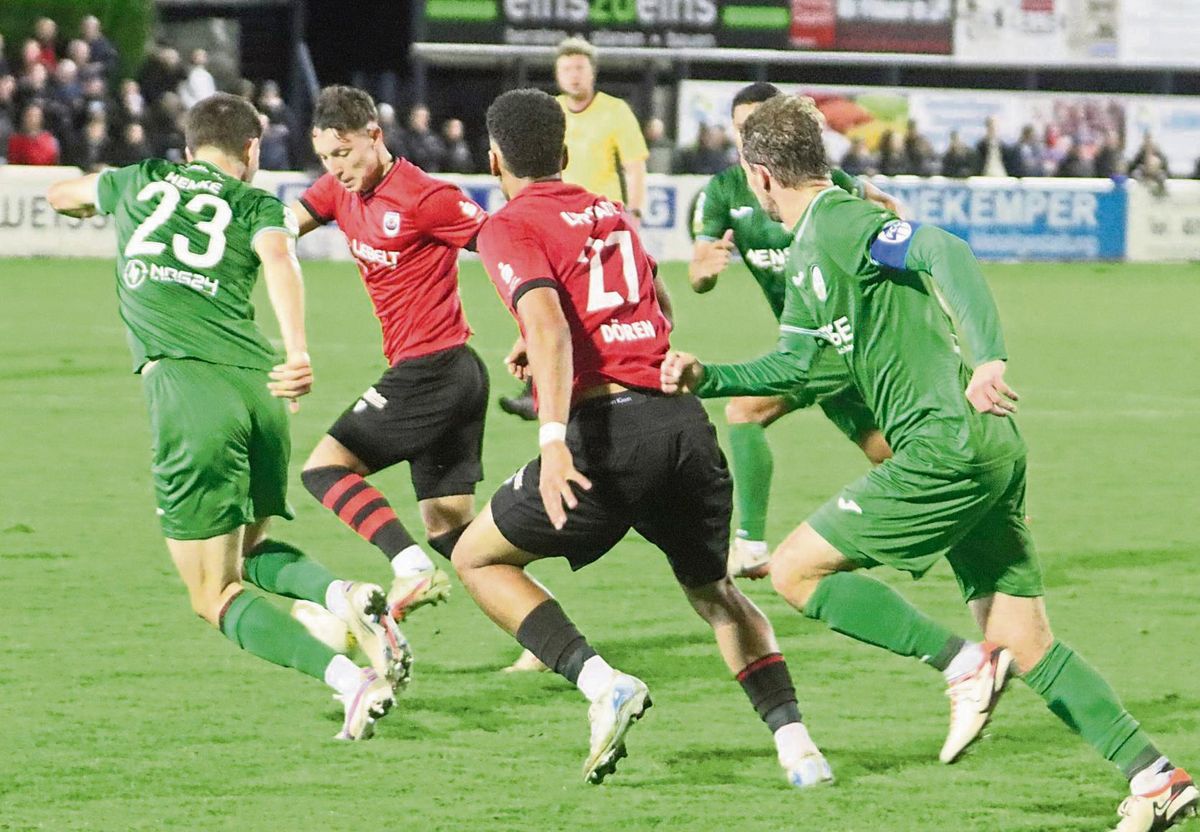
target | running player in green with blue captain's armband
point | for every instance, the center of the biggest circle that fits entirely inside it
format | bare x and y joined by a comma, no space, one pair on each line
871,290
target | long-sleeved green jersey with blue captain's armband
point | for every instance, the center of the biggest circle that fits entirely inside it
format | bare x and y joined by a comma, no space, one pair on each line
862,285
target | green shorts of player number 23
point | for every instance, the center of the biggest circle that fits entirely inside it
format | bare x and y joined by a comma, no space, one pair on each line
221,447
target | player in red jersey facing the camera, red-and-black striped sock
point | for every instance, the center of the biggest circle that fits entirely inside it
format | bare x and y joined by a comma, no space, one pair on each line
405,230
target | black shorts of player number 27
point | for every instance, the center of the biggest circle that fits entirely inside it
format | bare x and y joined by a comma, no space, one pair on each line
655,466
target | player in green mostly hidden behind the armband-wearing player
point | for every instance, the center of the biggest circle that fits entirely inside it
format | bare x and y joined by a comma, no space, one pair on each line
728,216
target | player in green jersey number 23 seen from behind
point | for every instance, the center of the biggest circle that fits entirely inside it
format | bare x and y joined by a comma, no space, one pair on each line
191,238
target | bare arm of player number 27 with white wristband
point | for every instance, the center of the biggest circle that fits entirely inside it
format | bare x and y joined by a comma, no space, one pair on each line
549,354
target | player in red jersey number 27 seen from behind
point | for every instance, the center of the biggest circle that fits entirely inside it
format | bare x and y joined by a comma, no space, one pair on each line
616,454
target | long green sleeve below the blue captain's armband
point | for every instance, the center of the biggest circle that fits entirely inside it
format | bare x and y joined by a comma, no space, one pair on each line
956,272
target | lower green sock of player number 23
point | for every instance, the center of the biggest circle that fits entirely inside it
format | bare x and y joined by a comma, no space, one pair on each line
260,627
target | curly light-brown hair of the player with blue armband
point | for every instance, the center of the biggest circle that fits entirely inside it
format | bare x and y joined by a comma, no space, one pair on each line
784,136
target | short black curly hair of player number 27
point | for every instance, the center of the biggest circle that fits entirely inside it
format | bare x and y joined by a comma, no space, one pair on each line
529,127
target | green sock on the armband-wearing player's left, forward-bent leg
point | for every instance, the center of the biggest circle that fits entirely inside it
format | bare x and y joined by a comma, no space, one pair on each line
869,612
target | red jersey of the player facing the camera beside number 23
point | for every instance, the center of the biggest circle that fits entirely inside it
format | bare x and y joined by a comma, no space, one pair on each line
405,235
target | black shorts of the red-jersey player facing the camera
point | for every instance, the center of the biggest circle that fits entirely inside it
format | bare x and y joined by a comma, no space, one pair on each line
427,411
